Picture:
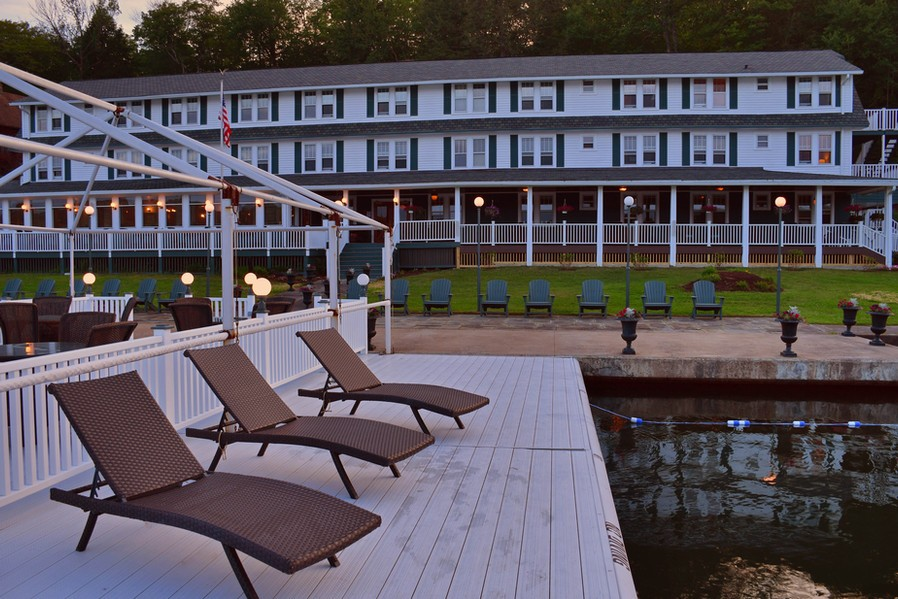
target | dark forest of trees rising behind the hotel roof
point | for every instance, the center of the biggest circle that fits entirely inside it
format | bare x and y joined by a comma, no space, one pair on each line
79,39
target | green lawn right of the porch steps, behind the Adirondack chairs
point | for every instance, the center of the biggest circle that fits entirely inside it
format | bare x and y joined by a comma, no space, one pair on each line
815,291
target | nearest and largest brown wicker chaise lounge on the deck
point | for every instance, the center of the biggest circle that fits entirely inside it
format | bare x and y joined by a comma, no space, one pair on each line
154,477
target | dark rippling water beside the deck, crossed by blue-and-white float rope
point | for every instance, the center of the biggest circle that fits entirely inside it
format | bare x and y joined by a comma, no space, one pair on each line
710,511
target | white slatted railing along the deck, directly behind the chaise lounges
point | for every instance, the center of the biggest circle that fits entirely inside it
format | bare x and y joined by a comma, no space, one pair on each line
39,447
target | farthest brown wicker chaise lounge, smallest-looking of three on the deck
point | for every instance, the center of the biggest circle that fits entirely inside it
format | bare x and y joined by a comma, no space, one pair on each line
348,372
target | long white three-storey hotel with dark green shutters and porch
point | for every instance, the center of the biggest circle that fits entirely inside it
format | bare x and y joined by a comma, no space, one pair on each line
704,143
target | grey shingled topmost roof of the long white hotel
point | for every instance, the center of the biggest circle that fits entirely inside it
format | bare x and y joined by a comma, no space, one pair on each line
487,69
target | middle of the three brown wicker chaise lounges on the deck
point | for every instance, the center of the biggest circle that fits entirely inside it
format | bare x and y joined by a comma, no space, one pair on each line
263,417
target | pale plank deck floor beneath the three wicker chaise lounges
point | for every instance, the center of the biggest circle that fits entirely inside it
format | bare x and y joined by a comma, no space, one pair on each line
515,505
